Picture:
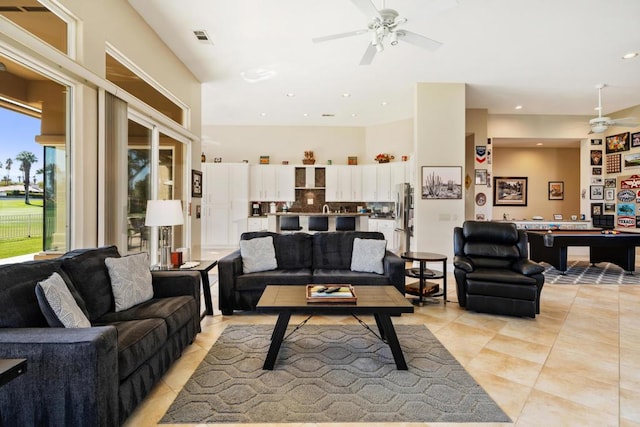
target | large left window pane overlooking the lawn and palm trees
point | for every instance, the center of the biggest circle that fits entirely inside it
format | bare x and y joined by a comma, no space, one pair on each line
33,152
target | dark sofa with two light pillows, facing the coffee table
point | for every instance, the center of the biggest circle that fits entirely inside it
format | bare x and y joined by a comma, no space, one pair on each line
302,259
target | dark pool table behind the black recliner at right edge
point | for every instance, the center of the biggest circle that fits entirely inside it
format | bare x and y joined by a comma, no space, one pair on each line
619,248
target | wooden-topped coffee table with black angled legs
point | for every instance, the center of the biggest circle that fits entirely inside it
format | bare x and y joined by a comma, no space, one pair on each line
380,301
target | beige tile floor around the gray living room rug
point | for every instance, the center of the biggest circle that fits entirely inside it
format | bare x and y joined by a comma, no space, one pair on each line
576,364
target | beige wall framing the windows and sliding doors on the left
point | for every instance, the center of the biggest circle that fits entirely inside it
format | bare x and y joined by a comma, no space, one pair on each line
101,22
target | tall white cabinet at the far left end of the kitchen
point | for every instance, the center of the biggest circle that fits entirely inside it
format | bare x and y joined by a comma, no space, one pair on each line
225,203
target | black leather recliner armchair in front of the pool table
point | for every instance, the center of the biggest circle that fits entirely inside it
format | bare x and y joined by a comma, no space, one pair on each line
493,271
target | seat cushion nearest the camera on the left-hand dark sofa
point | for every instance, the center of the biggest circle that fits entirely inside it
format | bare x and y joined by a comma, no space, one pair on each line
137,341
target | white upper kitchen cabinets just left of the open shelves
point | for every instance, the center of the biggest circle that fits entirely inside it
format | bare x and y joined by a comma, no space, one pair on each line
272,183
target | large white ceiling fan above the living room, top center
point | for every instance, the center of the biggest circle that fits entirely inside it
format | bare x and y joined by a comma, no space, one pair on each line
384,26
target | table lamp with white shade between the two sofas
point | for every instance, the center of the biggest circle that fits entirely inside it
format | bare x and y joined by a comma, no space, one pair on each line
164,214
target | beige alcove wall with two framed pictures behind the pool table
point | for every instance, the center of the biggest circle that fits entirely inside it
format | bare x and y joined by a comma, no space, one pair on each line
540,165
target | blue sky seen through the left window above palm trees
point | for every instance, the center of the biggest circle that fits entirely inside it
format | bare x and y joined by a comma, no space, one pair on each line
17,133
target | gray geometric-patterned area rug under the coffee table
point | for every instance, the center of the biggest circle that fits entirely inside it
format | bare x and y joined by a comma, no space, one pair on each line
330,374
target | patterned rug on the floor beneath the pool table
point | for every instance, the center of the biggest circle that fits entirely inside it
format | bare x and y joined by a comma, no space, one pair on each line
583,272
